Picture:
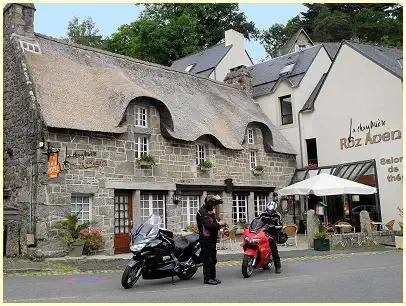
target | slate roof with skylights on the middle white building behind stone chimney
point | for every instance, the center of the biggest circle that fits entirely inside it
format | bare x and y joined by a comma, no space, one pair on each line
266,75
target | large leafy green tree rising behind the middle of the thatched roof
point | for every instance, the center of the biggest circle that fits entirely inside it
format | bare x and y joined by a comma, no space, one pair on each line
166,32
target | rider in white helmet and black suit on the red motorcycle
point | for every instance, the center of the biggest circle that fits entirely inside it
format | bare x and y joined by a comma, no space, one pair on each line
270,218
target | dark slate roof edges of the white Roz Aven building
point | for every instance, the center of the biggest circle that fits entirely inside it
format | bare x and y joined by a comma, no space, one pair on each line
390,59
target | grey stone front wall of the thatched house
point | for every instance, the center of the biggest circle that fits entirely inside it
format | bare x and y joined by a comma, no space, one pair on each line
114,157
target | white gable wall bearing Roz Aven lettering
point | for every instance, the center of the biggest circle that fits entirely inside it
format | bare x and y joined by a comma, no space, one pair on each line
359,89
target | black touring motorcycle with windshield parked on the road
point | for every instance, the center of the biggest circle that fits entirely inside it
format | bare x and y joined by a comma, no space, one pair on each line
158,255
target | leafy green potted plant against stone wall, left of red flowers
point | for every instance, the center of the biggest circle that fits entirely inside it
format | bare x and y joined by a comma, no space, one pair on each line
71,230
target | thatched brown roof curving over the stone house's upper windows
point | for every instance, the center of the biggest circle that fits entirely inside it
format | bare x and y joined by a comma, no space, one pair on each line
83,88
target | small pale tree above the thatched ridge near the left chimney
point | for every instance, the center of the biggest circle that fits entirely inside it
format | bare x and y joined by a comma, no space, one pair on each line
84,33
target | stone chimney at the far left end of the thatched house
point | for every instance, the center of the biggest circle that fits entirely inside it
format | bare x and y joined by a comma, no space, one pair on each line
19,19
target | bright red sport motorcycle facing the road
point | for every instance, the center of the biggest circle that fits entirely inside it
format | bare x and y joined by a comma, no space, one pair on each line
257,253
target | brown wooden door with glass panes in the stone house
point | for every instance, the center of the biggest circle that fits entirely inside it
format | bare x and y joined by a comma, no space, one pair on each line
123,220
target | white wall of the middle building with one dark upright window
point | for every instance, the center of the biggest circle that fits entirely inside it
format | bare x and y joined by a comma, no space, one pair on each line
271,106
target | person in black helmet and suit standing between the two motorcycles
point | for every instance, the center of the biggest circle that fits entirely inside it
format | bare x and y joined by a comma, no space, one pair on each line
208,232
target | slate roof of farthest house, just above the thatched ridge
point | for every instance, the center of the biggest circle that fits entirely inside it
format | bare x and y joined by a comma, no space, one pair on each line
204,60
